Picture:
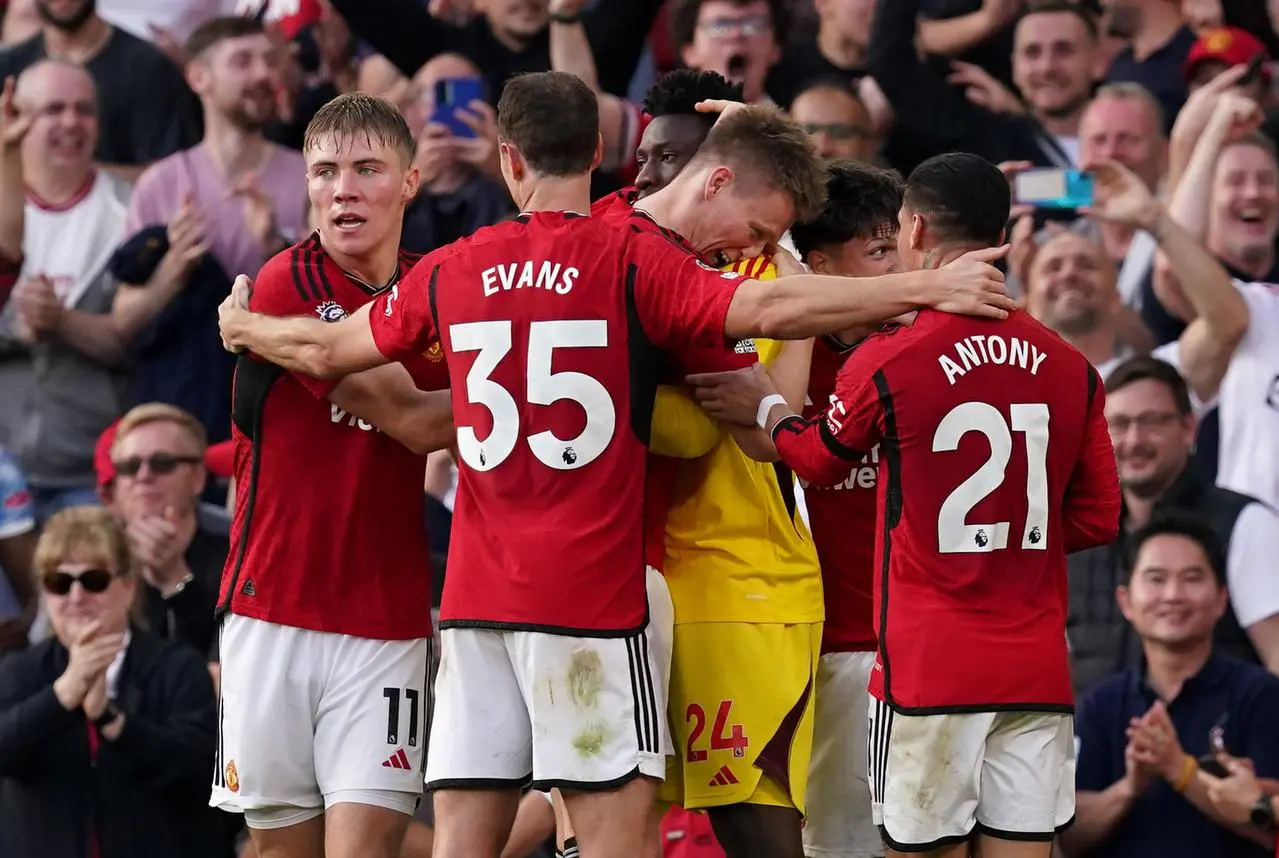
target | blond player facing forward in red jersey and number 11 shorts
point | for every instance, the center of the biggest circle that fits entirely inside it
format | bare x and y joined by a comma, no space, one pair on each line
326,643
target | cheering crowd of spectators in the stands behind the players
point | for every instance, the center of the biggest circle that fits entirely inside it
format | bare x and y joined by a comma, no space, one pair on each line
132,195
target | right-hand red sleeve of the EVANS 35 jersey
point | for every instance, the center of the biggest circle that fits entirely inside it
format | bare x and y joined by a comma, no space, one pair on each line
682,302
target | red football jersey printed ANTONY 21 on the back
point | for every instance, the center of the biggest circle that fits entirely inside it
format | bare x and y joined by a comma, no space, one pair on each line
994,465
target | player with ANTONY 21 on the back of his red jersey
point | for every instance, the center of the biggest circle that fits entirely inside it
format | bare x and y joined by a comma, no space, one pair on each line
994,465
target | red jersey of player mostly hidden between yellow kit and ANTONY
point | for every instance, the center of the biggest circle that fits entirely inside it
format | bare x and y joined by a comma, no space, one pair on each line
842,522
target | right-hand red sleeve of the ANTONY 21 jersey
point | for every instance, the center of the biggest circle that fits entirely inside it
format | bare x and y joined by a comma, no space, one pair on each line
1090,515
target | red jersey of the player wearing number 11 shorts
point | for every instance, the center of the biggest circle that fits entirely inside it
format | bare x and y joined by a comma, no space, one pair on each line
329,527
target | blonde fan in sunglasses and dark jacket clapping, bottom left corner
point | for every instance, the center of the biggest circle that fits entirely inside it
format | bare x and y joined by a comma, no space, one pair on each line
108,729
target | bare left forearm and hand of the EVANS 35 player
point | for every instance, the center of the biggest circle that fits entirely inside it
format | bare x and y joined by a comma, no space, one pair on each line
299,343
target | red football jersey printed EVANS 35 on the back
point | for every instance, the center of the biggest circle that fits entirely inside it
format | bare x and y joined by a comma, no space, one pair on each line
557,329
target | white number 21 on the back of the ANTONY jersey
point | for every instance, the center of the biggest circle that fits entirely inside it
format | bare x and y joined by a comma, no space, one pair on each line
955,534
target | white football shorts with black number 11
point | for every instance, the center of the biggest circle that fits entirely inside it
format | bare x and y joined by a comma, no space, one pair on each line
311,719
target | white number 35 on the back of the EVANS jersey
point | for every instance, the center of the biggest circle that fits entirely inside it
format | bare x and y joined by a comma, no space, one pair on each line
493,341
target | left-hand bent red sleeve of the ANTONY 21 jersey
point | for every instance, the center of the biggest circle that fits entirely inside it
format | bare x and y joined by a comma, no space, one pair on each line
823,448
